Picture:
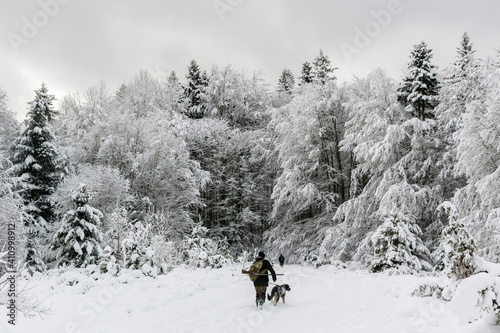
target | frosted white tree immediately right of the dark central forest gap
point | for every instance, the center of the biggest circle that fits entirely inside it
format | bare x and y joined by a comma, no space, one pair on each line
309,130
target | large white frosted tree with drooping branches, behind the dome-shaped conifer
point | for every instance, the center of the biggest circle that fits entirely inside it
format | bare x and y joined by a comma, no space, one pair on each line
391,151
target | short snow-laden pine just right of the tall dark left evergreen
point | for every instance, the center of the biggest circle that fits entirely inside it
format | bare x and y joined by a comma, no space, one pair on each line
79,237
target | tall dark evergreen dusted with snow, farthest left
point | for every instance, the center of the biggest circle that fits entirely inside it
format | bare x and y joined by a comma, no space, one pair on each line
37,161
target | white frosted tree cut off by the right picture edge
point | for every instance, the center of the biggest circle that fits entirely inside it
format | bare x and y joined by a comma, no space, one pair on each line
478,159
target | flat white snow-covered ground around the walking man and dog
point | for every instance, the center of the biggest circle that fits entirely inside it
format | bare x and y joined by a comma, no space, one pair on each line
188,300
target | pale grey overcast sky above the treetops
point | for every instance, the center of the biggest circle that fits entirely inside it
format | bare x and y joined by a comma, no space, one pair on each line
73,44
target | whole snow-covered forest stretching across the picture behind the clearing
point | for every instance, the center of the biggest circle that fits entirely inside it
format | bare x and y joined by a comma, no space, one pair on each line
391,174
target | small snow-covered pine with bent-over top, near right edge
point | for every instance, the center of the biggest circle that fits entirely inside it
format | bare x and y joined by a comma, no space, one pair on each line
457,246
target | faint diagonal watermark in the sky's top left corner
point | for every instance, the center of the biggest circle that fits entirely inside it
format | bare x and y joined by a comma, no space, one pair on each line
30,28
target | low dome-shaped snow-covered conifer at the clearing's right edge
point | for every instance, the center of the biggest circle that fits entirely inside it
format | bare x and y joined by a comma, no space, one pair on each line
398,247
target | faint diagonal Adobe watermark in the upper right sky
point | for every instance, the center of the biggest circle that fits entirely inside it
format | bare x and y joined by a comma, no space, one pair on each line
373,28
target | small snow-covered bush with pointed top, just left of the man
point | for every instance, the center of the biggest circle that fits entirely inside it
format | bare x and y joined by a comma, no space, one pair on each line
201,251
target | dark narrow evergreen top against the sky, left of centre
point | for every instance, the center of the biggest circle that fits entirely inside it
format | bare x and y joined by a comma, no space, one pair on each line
196,83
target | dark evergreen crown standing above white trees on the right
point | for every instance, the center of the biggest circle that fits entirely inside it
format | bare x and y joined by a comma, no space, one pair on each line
419,90
